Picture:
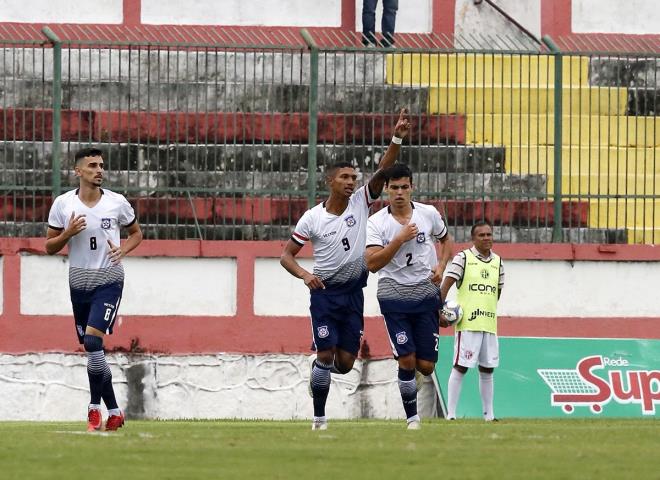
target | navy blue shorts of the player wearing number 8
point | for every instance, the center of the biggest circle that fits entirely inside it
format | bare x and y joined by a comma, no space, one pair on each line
96,308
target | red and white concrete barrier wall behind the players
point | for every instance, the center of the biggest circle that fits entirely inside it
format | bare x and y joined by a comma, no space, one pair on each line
220,330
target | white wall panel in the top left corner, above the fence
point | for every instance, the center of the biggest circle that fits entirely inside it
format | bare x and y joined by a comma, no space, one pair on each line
61,11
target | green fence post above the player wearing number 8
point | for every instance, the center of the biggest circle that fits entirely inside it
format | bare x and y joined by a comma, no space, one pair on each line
57,111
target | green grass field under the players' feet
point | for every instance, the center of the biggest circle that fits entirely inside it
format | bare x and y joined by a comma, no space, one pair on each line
463,449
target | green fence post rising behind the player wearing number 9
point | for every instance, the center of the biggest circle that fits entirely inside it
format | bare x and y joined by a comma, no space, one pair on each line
313,116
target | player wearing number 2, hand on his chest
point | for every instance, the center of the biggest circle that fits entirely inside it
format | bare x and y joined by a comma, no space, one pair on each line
401,246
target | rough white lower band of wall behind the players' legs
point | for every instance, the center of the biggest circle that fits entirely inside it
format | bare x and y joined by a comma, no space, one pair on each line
55,387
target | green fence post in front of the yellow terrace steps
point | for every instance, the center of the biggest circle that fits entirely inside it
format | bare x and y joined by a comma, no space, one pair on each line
557,194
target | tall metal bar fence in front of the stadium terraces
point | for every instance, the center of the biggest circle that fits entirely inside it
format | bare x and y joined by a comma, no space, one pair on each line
229,139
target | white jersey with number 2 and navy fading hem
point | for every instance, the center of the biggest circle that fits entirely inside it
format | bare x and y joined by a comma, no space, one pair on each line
404,283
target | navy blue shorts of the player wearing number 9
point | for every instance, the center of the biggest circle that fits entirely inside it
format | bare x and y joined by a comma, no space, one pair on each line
337,321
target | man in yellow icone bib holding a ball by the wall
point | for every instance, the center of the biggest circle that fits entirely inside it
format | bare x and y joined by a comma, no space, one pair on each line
479,277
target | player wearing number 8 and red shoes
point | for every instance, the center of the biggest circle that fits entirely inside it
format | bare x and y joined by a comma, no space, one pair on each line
88,219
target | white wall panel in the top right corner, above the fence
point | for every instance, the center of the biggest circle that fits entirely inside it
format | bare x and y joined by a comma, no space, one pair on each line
616,16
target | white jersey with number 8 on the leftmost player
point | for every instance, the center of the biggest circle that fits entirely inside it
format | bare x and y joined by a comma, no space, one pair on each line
89,264
